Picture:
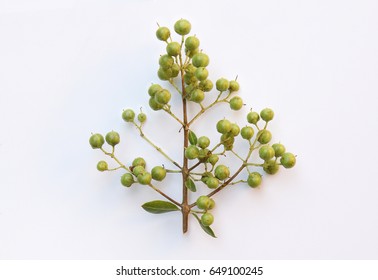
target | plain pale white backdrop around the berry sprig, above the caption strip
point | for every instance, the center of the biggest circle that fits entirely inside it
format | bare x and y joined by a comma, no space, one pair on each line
68,68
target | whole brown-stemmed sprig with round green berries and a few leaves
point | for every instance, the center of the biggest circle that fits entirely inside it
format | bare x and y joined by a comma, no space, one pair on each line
183,66
